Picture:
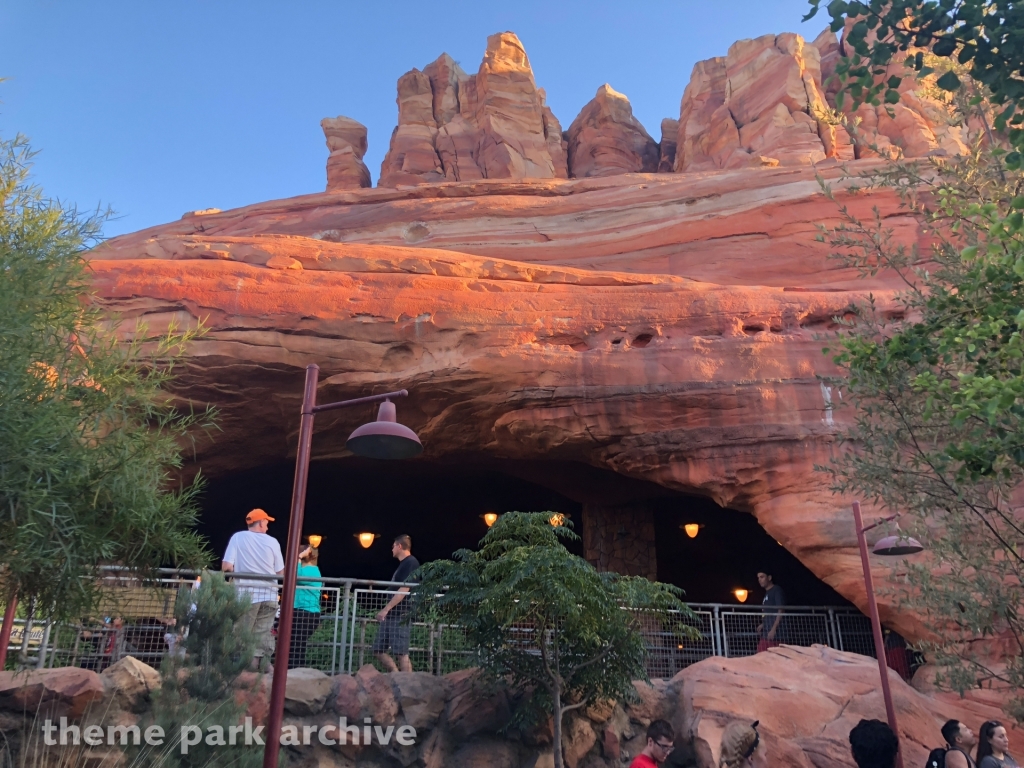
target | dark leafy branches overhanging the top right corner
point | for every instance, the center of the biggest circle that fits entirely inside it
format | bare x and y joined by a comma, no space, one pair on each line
985,36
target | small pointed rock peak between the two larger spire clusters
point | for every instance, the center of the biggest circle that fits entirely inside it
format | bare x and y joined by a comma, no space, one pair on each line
606,140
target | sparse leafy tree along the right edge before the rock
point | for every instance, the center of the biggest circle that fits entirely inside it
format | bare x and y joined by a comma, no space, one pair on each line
936,376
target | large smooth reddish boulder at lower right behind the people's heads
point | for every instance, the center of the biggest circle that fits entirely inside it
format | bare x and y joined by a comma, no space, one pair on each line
807,700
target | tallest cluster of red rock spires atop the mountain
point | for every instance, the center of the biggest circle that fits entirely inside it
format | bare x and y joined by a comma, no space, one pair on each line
492,125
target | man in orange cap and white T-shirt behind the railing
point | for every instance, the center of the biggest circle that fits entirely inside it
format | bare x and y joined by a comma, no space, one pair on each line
252,551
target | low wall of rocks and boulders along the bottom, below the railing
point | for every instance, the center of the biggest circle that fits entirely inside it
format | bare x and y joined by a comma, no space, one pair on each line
807,700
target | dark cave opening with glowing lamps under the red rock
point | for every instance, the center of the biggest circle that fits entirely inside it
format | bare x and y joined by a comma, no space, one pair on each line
625,525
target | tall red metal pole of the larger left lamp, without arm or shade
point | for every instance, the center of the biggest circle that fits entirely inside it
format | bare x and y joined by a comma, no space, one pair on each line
277,713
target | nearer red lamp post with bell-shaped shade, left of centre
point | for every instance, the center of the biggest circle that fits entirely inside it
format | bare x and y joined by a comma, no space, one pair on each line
385,439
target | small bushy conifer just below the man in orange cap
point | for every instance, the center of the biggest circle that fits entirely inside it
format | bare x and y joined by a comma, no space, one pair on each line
200,678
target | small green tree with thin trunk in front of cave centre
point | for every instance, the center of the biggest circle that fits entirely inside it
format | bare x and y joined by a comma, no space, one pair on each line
547,621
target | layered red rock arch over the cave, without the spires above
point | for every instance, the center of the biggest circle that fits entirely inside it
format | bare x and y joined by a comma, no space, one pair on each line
707,388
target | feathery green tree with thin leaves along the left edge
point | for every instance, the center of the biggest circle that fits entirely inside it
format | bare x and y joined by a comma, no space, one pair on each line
89,436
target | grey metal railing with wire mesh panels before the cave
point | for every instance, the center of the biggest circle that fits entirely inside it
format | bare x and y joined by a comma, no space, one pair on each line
138,619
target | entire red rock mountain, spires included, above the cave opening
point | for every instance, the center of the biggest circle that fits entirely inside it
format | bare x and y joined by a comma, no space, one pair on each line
661,317
